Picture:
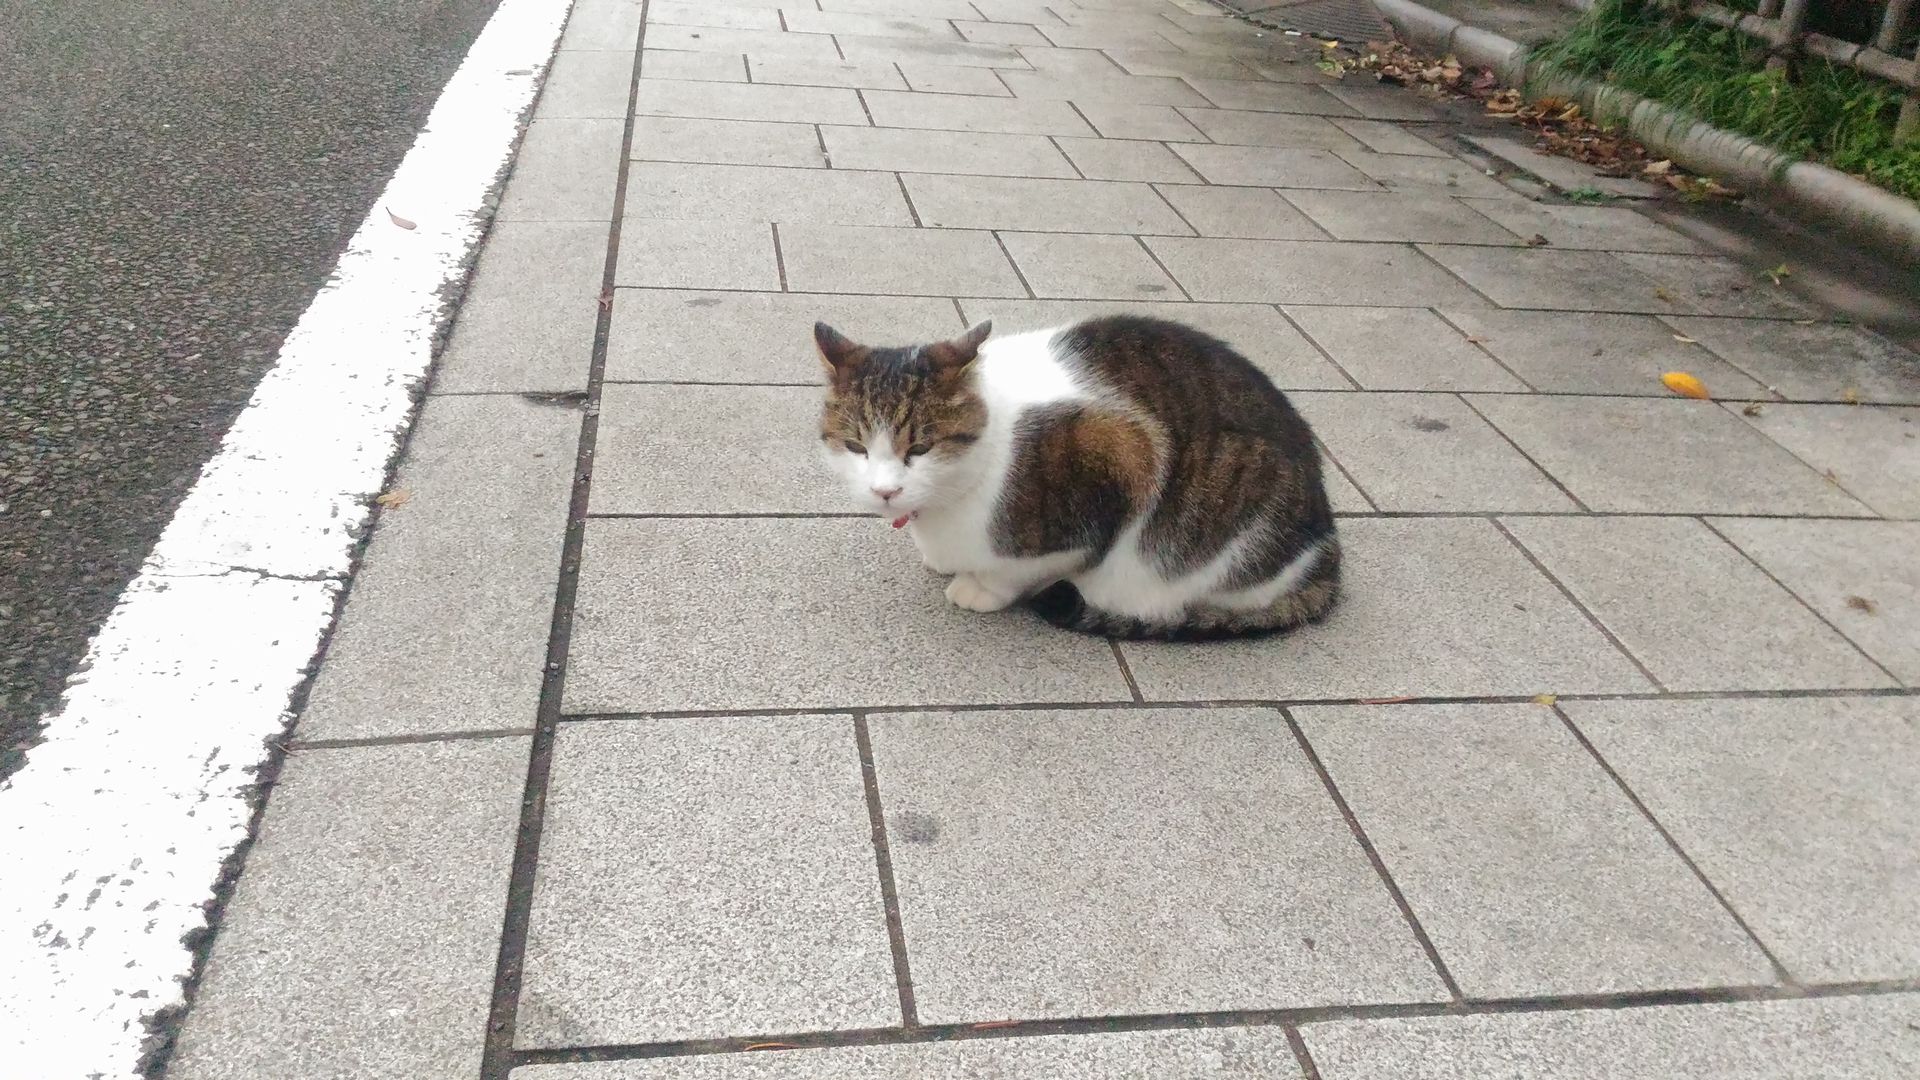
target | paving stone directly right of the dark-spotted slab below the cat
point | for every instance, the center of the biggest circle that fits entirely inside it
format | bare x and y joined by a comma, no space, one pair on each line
1525,864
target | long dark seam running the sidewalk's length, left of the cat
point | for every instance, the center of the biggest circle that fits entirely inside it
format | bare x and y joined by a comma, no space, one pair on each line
498,1052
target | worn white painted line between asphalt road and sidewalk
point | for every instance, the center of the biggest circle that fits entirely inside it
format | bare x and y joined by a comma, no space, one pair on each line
120,823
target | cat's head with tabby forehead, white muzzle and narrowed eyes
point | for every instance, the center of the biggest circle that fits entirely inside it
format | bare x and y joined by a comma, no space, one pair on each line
900,424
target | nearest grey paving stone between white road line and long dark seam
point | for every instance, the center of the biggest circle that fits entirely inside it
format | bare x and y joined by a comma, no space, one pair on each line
377,868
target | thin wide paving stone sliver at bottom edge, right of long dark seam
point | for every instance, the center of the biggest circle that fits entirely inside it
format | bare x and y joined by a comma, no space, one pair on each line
1212,1054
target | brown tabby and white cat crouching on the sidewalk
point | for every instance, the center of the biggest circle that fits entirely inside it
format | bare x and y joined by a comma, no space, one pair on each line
1124,476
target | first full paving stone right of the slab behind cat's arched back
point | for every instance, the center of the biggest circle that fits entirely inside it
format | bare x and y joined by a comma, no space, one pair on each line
1403,349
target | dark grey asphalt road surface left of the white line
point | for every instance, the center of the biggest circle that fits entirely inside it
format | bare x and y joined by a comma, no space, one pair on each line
176,182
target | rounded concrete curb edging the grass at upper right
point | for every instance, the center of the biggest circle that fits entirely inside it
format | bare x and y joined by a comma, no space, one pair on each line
1863,212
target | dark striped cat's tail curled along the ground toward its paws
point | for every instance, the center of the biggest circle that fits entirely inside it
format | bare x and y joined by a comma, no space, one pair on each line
1065,606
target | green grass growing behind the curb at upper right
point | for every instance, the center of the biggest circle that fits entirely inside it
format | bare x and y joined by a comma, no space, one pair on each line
1821,112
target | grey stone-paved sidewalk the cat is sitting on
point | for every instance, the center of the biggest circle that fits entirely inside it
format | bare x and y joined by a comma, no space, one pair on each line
635,756
